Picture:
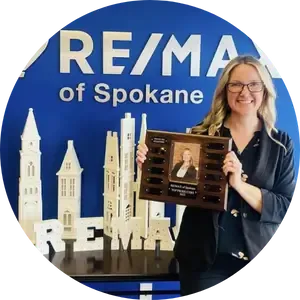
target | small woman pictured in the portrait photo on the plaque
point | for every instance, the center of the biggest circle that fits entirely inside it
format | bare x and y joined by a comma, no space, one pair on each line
185,169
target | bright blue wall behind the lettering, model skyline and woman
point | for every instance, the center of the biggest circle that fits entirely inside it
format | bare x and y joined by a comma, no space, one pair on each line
87,121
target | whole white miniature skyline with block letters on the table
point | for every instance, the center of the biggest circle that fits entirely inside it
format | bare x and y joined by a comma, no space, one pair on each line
120,188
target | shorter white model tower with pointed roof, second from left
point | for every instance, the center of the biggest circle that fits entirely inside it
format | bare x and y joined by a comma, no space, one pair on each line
69,191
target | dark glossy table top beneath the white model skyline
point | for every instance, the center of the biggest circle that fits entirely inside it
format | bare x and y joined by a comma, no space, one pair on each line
116,265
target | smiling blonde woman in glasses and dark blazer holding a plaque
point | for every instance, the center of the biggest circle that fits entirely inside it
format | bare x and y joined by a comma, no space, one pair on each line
212,246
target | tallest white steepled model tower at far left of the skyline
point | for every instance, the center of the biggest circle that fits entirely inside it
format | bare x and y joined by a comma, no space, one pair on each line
30,186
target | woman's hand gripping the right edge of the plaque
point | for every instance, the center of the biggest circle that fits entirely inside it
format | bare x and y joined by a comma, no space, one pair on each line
233,167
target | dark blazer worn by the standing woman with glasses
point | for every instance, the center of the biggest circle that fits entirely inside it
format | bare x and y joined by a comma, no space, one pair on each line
197,241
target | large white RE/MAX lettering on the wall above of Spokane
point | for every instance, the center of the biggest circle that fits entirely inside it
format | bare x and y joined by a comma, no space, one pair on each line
192,48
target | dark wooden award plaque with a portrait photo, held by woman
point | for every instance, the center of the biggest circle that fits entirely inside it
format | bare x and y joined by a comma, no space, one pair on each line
183,168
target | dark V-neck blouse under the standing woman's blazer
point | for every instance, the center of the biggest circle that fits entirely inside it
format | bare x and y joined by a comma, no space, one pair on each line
231,238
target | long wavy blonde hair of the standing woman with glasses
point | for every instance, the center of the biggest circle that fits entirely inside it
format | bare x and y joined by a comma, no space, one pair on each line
220,108
